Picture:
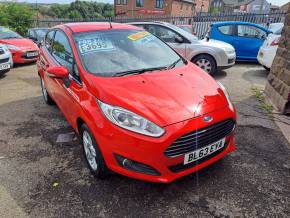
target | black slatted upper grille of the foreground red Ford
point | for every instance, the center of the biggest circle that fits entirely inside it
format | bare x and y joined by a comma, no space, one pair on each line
200,138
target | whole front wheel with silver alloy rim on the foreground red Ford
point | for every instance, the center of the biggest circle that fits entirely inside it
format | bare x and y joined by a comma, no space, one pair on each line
92,153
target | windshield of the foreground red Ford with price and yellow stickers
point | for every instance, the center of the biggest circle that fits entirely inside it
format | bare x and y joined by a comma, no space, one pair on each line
111,53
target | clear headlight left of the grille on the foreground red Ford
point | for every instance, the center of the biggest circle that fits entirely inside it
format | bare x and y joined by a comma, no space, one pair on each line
131,121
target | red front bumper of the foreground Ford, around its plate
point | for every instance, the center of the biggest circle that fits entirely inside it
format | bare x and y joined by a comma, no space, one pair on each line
150,151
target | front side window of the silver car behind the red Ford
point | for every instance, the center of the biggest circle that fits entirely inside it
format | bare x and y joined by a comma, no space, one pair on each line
163,33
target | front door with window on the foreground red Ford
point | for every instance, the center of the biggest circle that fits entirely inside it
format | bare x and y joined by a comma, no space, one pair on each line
67,91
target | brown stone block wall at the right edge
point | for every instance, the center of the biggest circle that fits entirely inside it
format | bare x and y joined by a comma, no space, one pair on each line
278,85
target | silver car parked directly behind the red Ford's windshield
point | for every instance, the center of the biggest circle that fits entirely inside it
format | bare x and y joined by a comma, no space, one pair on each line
211,56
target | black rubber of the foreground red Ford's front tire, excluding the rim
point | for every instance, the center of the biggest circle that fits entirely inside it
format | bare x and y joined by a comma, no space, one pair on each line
101,172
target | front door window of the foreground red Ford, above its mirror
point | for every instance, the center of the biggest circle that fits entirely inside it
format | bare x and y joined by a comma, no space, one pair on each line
62,52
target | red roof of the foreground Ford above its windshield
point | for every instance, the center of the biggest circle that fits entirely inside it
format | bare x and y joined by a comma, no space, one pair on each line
95,26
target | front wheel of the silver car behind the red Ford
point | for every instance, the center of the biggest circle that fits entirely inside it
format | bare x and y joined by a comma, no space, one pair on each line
206,62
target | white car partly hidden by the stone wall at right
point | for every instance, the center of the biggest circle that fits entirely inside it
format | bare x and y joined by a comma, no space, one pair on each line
269,48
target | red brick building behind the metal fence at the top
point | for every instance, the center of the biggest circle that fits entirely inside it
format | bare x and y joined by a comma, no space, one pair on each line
133,8
